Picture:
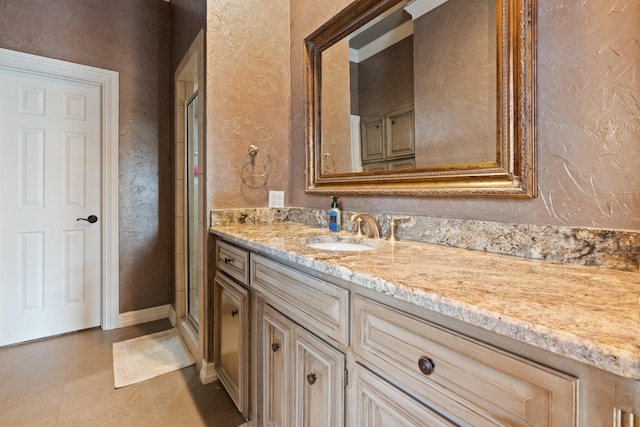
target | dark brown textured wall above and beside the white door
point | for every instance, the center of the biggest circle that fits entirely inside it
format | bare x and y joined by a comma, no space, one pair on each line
131,37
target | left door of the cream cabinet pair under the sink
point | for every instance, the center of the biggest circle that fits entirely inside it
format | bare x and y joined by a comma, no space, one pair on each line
277,368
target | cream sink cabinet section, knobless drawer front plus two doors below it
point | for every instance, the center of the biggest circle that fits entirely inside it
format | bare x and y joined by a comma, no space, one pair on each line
303,375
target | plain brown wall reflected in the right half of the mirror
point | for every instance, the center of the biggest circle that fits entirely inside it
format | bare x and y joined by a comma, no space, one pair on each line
455,84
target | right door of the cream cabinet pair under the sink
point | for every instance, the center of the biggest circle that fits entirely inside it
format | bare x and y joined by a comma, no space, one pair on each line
319,379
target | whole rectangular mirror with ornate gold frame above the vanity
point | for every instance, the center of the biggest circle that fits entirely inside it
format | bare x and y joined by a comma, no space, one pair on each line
423,97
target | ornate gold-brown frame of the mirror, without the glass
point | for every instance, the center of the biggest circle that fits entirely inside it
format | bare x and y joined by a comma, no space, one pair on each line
514,173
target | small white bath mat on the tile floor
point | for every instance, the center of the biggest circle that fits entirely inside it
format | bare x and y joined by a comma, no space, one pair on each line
145,357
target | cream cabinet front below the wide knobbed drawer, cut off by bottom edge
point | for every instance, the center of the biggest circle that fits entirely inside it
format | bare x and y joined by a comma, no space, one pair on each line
376,403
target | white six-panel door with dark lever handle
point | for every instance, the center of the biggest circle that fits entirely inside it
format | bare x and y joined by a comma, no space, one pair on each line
50,142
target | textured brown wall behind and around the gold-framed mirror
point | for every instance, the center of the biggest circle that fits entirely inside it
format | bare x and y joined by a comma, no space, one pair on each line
588,121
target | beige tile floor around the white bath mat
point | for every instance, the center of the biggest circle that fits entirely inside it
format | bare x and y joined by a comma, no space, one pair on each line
68,381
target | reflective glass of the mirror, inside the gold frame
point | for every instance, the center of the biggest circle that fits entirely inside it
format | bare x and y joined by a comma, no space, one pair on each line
399,106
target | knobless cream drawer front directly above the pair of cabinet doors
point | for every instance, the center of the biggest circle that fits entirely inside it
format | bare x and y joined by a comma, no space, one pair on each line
319,306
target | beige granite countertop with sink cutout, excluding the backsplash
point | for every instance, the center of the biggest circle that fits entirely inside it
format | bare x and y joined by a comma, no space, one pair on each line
588,314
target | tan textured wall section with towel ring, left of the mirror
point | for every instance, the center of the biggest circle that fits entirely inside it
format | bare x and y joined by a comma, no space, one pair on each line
247,100
